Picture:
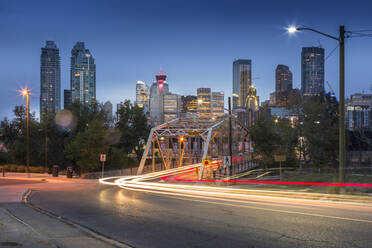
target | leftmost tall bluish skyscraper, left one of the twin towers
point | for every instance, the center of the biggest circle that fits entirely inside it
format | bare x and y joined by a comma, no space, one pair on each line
50,79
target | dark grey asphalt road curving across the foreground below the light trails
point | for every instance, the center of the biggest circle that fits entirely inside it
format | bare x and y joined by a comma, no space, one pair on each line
150,220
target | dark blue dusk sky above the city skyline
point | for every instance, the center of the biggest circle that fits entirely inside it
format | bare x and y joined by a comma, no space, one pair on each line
194,41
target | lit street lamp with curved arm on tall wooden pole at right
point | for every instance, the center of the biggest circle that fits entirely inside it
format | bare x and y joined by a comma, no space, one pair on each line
341,40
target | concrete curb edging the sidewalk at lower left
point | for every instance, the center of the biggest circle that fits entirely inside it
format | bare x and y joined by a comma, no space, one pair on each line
25,199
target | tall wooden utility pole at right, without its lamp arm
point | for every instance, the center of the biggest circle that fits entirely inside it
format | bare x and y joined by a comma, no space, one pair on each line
342,107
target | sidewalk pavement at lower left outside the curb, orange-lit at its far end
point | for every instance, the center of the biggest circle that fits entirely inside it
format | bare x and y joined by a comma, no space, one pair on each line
22,225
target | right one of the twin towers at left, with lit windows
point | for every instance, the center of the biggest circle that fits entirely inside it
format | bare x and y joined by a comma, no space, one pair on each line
83,75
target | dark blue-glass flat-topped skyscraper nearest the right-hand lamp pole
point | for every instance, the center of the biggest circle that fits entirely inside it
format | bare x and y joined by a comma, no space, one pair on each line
312,70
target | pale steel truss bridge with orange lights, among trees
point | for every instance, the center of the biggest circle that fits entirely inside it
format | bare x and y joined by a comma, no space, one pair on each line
191,140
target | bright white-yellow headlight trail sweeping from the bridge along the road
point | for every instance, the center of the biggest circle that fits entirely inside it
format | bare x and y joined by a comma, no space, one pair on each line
225,196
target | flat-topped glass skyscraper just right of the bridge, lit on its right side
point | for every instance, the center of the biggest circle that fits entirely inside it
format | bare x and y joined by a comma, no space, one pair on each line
242,79
